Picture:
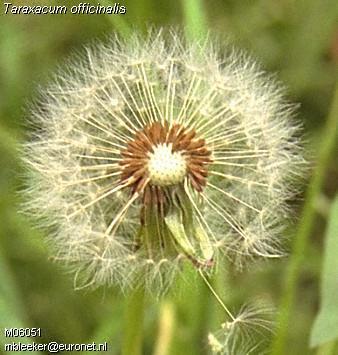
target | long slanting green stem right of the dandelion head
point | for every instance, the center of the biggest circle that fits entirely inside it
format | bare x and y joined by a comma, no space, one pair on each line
304,229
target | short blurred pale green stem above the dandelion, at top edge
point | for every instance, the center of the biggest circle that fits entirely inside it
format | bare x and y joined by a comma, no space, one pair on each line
194,16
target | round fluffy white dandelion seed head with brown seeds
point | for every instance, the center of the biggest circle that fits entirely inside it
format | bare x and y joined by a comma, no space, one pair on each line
152,151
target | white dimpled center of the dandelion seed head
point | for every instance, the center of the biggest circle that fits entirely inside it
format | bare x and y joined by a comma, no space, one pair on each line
165,167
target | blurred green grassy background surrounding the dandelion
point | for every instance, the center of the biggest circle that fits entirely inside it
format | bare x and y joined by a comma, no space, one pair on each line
298,40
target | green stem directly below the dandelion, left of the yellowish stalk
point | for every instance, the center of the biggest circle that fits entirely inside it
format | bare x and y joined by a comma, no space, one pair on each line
133,323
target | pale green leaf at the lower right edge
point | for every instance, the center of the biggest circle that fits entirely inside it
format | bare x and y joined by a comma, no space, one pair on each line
325,327
